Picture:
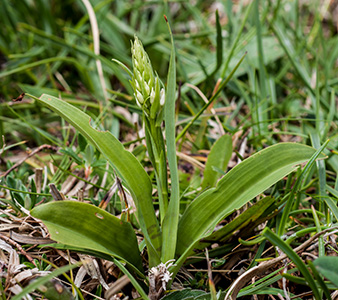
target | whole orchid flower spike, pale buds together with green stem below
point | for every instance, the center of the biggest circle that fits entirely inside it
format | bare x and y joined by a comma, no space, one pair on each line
151,97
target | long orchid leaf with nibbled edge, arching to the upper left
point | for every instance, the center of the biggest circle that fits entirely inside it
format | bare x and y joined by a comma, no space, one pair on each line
126,165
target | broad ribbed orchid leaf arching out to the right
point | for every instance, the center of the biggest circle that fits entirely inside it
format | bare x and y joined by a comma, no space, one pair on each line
244,182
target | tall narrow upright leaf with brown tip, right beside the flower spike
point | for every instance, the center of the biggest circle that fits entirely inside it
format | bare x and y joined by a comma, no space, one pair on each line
170,221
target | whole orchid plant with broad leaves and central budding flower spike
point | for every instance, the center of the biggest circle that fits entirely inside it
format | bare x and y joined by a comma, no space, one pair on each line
171,238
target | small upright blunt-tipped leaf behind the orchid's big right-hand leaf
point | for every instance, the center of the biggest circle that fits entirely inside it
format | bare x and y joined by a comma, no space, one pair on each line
219,157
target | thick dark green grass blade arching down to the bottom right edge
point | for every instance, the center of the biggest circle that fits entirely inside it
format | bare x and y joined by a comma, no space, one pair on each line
278,242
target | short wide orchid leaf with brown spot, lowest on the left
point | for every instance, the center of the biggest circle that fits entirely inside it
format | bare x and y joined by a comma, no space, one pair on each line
87,226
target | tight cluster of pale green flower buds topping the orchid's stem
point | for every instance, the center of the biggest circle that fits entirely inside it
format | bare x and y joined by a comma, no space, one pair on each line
148,94
